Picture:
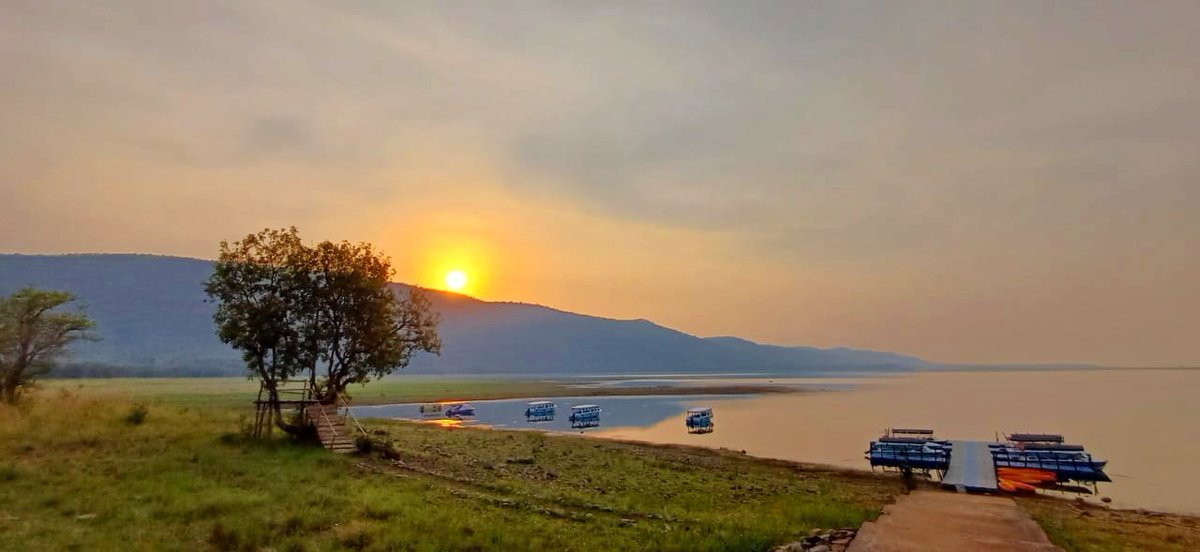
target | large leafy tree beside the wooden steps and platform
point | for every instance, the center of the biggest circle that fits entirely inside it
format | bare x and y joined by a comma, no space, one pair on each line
325,314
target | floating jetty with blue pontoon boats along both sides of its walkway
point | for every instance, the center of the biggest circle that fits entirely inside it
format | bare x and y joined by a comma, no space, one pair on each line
1021,463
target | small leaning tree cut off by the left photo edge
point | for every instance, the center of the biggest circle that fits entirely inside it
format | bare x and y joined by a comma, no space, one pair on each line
34,335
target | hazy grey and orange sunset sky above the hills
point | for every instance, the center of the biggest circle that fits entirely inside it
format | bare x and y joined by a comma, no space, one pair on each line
962,182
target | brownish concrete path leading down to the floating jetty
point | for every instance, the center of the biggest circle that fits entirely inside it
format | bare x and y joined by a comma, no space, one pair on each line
938,520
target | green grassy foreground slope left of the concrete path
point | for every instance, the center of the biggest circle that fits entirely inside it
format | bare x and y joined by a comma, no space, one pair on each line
76,475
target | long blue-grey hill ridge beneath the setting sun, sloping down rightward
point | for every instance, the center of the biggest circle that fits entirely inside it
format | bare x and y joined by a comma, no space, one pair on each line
154,319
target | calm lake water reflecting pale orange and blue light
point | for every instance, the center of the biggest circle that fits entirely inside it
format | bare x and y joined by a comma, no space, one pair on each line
1145,423
